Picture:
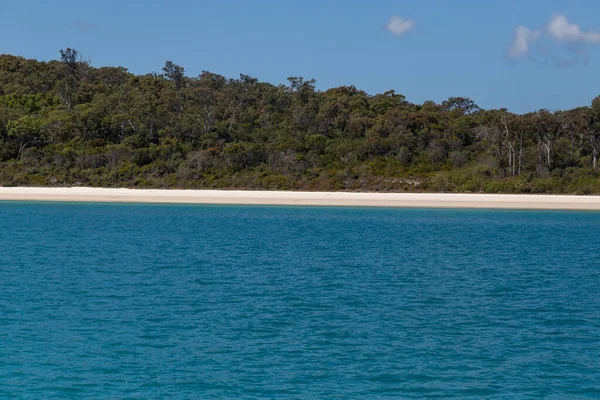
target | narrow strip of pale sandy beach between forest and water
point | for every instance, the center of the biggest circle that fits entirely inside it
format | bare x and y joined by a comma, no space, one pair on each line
500,201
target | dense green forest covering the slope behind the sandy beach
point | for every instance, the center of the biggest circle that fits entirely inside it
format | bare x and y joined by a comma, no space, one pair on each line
65,123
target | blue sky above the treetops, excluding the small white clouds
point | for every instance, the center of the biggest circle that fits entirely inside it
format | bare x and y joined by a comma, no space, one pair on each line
454,47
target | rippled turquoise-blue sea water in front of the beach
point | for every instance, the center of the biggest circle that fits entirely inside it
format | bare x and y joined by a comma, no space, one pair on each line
137,301
